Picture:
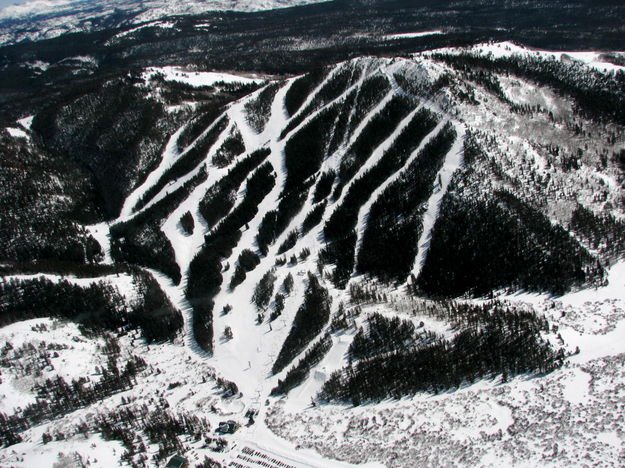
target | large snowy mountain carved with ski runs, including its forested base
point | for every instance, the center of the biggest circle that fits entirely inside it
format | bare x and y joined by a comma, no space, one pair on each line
410,261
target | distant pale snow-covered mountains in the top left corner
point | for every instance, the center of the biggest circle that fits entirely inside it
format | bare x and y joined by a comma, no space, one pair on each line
44,19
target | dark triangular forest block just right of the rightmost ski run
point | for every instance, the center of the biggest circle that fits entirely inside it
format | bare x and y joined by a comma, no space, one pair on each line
482,245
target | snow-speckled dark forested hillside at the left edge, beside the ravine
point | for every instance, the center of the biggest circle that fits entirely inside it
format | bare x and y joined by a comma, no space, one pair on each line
45,197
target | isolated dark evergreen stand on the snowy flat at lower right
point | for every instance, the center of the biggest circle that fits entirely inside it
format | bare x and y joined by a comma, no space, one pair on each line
494,341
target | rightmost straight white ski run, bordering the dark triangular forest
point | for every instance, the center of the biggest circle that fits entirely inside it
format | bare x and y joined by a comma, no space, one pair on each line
453,161
